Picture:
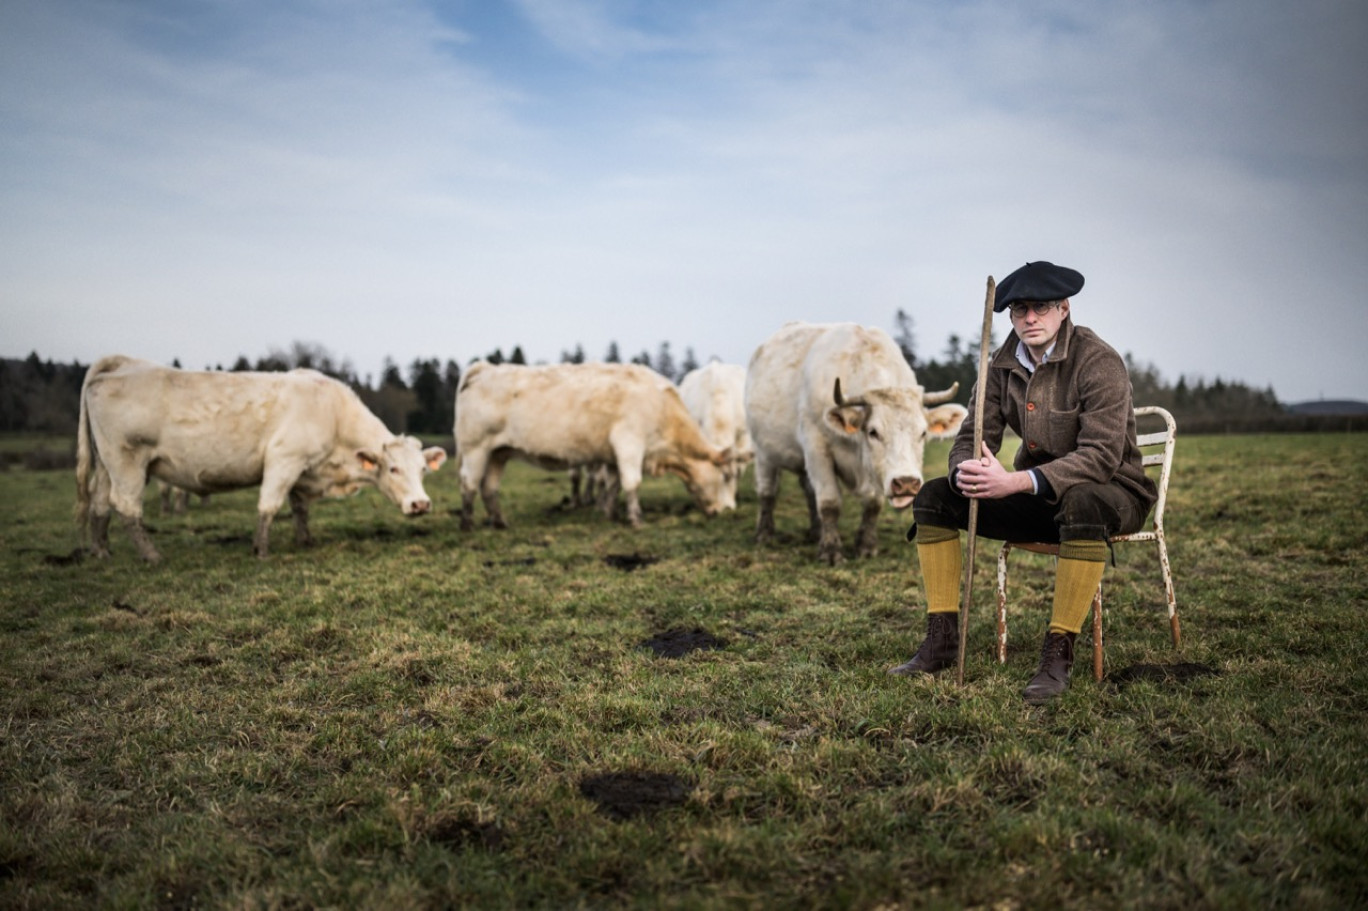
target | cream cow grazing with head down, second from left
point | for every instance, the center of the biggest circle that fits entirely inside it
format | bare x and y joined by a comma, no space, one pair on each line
568,415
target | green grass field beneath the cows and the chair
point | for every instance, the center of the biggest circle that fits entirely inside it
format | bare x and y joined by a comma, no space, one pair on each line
412,717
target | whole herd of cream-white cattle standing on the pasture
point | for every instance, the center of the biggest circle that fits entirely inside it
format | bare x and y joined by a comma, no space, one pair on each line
835,404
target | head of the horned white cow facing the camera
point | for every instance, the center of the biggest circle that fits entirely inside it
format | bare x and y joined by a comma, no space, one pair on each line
890,429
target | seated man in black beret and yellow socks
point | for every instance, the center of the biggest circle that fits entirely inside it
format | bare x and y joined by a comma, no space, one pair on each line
1079,477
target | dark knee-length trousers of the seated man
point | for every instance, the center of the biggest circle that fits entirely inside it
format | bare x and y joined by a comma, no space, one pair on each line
1086,512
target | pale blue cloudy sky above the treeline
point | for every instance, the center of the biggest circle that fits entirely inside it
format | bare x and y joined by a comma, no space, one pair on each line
200,180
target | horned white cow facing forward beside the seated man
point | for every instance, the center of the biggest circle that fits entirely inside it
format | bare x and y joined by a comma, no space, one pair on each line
839,406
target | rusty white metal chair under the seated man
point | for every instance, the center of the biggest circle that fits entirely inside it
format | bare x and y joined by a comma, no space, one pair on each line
1158,451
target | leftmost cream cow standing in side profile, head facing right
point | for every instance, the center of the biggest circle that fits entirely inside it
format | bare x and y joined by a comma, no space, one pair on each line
300,436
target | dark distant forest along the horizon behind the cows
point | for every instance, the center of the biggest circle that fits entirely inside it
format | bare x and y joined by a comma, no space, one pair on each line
43,397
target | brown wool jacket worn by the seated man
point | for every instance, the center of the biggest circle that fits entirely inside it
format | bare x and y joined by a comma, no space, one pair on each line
1075,415
